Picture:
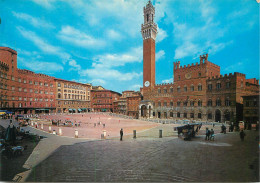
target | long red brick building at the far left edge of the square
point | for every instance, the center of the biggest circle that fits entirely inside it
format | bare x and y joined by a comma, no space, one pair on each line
23,91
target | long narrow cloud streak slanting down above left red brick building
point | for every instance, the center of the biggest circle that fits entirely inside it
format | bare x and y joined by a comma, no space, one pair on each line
43,45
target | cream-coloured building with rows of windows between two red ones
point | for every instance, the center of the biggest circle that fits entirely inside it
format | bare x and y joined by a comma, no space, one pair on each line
72,97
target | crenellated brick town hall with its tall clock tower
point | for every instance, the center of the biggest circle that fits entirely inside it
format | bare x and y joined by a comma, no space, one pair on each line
198,92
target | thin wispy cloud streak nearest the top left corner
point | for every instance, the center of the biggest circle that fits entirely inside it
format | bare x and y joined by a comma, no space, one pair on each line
36,22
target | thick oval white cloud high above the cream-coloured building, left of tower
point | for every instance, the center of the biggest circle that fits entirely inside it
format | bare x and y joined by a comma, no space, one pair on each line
78,38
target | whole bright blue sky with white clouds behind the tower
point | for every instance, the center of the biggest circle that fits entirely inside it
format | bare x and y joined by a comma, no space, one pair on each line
99,41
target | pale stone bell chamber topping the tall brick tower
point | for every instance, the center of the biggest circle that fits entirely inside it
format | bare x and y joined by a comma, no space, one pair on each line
149,28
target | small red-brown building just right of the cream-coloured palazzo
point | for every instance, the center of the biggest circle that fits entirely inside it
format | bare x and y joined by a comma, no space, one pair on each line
103,100
